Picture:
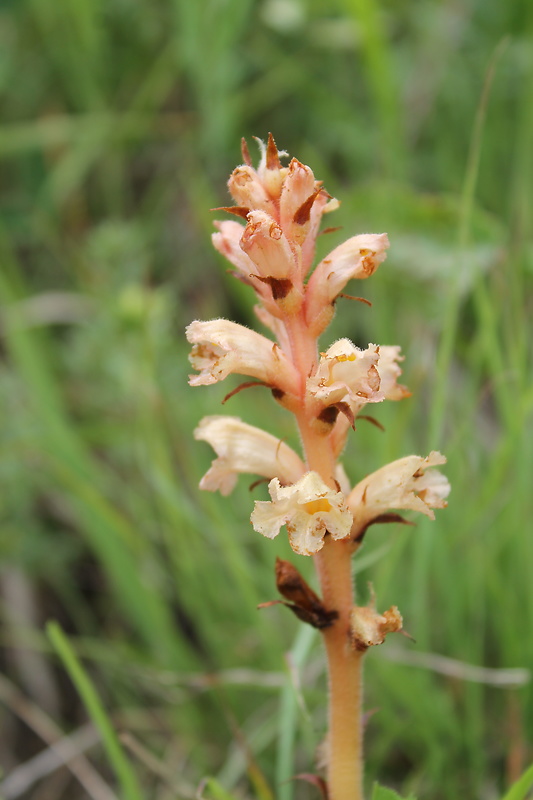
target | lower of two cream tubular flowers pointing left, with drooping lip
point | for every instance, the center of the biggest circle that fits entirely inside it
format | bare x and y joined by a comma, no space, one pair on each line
242,448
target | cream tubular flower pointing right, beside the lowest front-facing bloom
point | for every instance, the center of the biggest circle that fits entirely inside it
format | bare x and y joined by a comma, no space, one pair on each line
403,484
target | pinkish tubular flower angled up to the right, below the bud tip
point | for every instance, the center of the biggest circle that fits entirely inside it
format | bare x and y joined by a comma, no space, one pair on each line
359,257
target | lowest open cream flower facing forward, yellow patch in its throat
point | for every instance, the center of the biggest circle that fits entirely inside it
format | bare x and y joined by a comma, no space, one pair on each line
309,509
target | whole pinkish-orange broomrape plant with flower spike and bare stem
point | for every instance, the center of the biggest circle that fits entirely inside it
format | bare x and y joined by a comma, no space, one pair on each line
311,496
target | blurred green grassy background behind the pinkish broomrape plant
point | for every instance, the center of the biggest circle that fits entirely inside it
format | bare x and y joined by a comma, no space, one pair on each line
121,121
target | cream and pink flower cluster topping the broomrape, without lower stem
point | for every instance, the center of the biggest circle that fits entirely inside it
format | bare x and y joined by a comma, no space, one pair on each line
273,253
